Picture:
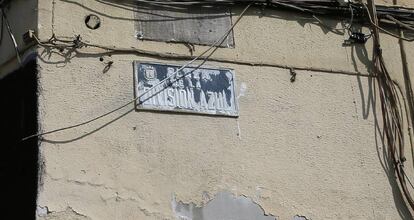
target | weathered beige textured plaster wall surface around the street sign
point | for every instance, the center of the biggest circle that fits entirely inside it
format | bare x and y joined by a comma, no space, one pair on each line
306,148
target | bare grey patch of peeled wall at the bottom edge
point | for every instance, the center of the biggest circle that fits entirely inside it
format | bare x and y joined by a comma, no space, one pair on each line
224,206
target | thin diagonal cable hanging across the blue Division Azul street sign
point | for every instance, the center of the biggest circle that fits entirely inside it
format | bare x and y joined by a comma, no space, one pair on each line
214,45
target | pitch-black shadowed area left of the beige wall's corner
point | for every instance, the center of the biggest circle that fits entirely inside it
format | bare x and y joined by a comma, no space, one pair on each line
19,160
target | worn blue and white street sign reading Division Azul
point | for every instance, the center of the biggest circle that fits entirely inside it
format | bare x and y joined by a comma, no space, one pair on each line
194,90
